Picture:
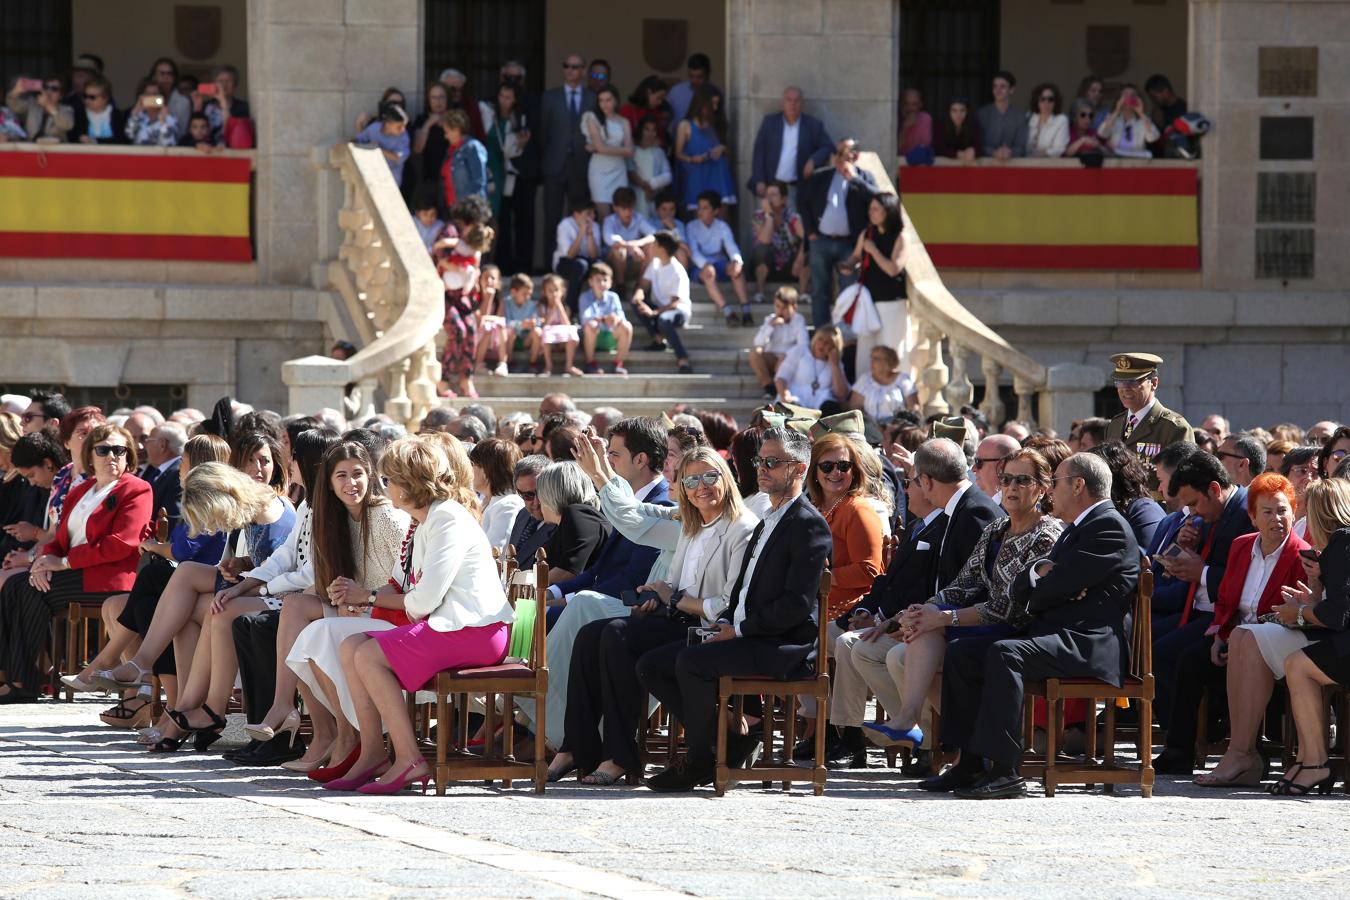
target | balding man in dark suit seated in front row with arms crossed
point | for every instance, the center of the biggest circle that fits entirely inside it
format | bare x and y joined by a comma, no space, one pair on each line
1079,600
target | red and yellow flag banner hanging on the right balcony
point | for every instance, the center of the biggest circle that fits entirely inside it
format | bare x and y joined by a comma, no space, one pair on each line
1042,218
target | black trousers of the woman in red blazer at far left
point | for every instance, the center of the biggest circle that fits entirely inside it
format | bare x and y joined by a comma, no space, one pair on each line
26,616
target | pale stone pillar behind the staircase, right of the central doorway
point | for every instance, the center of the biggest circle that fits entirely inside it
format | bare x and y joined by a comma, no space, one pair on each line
843,56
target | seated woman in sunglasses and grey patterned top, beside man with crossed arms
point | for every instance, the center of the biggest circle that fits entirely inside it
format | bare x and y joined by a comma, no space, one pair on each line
978,602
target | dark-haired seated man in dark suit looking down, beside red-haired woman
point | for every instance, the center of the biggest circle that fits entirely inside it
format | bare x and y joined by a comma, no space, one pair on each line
1201,484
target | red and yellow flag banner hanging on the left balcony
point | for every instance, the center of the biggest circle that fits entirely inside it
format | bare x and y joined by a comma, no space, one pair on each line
80,206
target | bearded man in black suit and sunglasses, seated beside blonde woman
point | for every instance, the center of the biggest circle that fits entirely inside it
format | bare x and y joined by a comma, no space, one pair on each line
767,629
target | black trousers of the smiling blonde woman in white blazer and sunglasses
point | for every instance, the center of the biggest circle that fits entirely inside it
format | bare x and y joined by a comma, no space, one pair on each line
604,696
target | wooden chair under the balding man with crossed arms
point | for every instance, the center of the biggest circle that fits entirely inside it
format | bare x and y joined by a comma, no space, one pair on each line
1137,686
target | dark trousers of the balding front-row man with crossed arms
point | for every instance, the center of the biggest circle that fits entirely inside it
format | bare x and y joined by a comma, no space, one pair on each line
983,687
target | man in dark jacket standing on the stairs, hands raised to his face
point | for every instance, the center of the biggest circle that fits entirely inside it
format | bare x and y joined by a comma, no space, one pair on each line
834,204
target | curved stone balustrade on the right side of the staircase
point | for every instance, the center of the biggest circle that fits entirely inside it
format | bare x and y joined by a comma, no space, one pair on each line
1054,396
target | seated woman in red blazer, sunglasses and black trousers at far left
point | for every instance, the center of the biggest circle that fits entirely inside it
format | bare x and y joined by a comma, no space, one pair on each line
94,555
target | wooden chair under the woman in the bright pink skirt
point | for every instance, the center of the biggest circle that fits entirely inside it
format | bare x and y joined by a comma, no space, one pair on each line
529,678
